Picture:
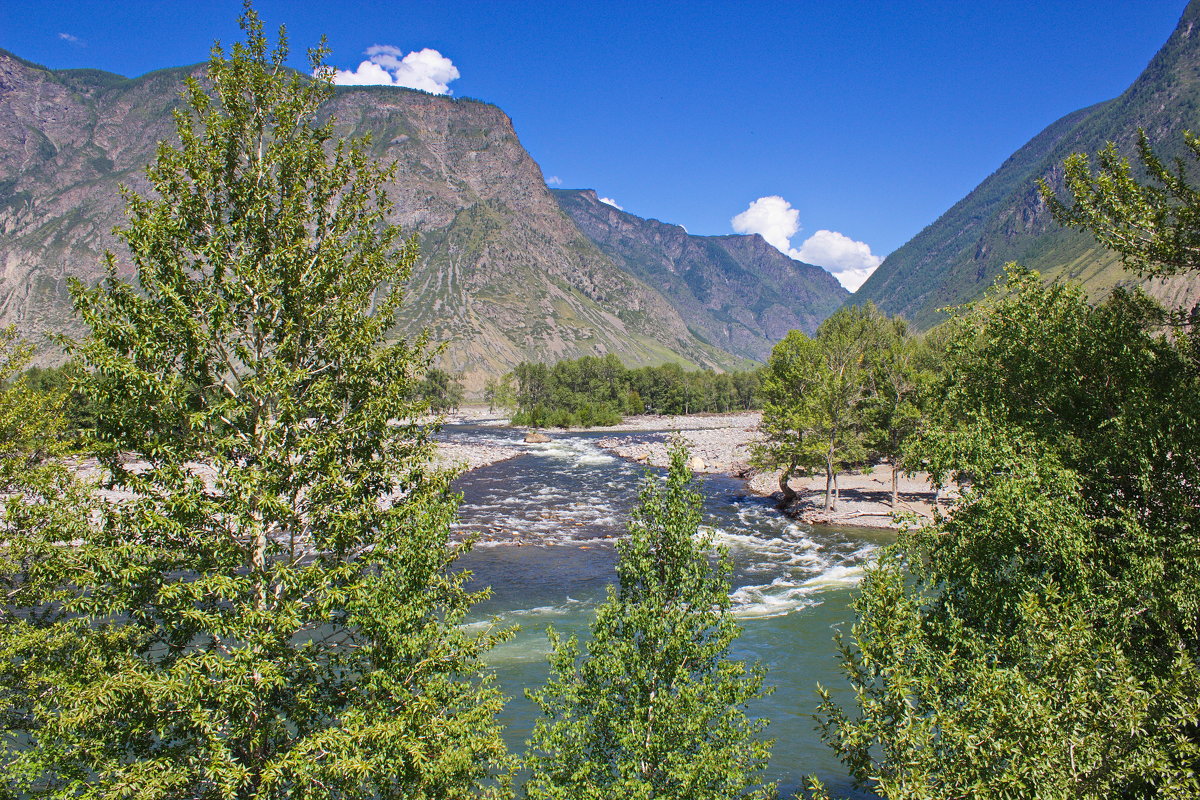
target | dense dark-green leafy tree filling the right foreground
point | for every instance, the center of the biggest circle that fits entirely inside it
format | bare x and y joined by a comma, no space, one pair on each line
1042,641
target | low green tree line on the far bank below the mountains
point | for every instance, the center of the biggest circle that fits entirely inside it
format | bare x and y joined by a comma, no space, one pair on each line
598,390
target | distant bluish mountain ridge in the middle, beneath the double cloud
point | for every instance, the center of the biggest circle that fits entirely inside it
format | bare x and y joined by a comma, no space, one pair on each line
736,292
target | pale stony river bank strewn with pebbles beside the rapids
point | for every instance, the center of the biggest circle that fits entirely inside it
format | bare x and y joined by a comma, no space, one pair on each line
721,444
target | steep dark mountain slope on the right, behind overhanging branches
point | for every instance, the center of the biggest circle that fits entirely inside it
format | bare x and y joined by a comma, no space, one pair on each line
1004,220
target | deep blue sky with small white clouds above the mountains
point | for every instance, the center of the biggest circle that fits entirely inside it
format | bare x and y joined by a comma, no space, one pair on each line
836,129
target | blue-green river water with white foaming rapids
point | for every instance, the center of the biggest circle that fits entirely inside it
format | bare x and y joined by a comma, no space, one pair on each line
547,524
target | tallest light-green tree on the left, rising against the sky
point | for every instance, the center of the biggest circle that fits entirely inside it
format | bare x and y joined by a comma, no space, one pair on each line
272,612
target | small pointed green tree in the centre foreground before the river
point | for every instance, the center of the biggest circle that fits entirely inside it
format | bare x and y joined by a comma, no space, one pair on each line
656,709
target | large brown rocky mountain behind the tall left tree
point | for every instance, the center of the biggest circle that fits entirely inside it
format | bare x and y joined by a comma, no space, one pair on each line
505,274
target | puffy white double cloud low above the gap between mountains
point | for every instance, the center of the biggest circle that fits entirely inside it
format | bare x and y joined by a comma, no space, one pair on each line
776,220
